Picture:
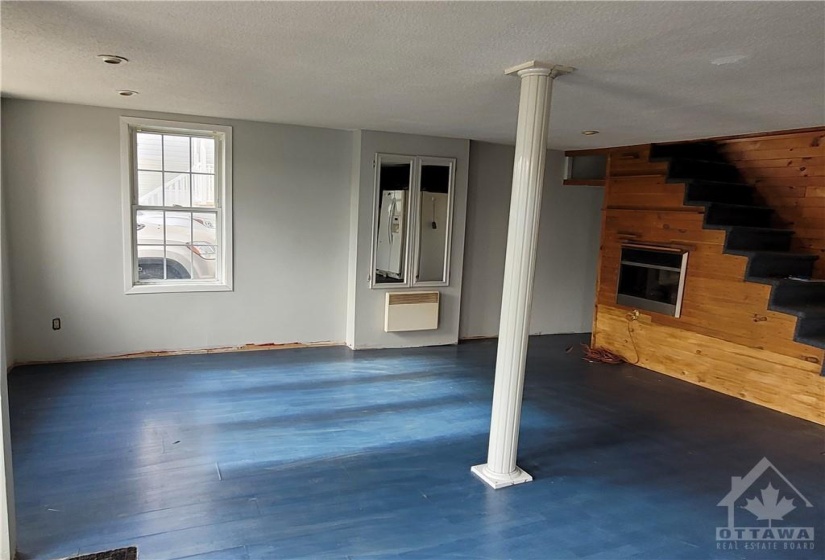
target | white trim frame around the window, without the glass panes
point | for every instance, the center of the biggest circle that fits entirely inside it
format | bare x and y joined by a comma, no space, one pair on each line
223,174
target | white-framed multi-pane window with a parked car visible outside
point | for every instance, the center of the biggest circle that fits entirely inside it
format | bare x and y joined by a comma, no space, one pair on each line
177,206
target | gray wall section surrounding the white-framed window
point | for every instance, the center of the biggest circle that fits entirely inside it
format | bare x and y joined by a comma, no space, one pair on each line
291,210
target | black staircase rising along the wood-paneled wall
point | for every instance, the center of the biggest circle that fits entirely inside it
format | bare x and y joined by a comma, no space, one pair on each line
730,205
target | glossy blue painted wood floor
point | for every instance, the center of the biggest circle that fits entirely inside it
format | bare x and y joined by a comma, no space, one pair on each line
326,453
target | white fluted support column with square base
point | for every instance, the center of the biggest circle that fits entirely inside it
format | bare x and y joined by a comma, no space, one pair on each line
522,236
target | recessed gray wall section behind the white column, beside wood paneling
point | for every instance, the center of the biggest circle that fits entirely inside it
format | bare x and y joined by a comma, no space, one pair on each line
568,250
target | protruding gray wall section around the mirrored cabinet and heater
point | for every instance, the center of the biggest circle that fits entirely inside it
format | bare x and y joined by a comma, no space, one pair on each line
366,320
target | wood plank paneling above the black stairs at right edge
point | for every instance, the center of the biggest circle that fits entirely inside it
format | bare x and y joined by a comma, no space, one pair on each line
788,171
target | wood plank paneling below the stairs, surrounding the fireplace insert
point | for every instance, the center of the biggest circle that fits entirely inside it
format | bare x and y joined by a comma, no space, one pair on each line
726,339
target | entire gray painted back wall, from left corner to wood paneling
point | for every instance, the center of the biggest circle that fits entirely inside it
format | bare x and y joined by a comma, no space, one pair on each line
293,206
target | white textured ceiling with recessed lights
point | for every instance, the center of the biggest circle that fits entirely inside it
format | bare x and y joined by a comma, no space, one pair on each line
645,70
